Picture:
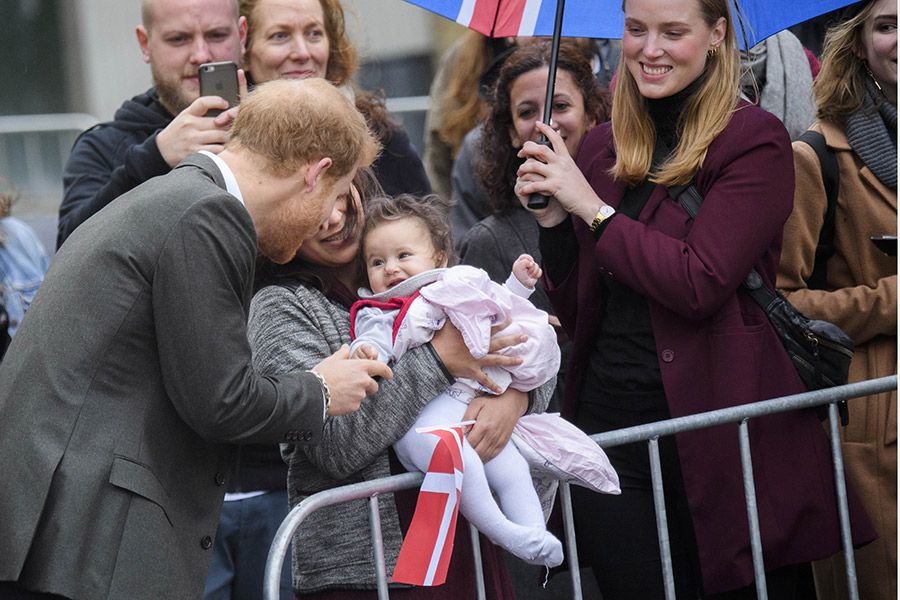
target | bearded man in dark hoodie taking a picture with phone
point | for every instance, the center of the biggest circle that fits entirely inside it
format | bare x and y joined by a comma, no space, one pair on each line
156,130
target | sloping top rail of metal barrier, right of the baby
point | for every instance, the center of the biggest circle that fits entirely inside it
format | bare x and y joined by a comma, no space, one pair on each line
735,414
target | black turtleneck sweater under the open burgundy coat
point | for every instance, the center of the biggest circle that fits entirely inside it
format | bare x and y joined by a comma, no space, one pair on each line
623,366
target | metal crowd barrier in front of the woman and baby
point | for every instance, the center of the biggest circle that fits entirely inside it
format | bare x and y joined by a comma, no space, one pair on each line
649,433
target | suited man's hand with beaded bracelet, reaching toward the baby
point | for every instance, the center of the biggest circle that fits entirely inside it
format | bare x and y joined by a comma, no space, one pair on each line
349,381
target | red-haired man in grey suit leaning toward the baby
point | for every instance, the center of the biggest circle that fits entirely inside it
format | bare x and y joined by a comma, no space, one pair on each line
131,375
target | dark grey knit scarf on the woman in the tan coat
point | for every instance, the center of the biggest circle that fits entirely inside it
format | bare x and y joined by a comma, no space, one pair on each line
872,133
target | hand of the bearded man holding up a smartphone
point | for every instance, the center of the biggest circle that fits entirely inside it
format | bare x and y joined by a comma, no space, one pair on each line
191,131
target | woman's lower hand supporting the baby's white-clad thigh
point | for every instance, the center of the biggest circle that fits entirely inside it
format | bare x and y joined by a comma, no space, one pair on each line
495,417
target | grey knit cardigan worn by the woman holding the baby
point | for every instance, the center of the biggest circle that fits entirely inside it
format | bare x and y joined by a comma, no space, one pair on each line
295,326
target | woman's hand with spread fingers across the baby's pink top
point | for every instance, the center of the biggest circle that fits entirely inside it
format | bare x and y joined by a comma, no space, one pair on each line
450,347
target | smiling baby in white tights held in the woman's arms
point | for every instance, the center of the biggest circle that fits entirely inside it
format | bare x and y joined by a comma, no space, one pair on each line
406,247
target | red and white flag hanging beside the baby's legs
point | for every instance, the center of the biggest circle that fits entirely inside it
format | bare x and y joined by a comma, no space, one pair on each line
425,554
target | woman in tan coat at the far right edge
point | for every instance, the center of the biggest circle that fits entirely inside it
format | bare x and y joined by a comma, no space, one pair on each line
857,114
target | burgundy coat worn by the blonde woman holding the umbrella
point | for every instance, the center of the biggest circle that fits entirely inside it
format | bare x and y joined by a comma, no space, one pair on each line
715,346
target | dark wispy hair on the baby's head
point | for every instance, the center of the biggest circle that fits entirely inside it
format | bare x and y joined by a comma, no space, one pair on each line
431,209
